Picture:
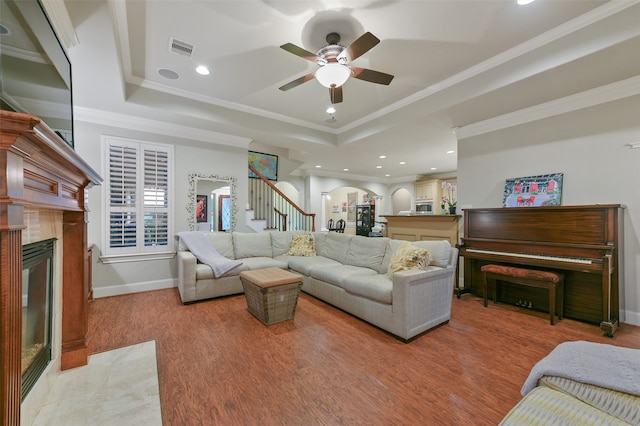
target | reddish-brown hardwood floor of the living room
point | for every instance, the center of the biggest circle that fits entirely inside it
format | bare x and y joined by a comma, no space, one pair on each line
218,365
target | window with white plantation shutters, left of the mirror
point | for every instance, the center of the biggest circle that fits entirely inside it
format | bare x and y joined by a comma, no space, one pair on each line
138,201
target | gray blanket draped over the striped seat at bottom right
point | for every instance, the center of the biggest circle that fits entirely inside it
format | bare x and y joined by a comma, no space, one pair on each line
598,364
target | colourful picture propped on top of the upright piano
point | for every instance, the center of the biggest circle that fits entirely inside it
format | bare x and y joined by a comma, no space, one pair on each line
533,191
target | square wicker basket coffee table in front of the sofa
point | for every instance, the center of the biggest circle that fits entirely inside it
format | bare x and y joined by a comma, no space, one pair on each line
271,293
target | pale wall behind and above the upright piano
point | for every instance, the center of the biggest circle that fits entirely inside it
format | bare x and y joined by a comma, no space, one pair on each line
590,147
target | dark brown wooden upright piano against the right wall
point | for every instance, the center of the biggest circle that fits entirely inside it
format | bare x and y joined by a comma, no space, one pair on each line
582,242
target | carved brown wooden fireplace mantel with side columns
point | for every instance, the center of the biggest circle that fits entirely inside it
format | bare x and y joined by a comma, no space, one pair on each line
39,170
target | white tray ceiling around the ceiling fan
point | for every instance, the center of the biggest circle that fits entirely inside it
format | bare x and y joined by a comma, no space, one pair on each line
458,65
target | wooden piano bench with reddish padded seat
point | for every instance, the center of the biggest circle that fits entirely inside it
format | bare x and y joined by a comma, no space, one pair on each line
528,277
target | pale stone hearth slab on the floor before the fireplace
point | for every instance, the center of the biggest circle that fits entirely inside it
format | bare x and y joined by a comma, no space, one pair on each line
118,387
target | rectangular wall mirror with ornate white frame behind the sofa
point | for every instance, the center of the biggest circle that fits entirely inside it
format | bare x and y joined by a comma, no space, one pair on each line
212,202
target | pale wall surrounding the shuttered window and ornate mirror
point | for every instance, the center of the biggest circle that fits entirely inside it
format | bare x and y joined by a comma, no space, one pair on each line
190,156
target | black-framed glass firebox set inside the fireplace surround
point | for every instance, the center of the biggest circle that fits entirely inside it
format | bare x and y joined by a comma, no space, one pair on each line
37,300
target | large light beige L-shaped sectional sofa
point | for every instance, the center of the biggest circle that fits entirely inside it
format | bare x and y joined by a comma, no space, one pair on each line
347,271
